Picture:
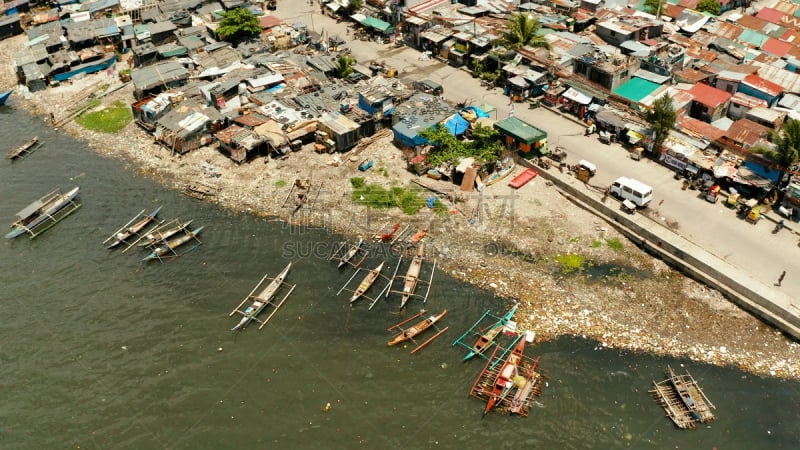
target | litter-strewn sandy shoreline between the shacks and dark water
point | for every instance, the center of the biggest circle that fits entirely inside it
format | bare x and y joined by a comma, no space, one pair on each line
571,273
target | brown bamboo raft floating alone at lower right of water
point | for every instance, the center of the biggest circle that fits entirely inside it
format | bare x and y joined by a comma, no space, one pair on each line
683,400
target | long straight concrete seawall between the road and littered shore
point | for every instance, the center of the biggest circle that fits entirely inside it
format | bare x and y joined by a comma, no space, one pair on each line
770,306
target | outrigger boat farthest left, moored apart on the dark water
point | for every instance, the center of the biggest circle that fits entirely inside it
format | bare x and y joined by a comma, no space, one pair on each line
44,213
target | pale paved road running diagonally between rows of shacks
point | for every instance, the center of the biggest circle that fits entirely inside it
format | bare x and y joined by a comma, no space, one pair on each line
714,227
